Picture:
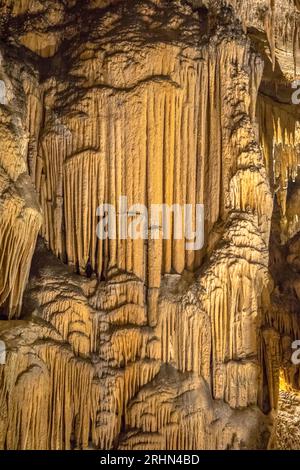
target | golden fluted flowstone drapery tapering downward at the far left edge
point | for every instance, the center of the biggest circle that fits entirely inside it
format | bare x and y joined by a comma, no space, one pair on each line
20,216
